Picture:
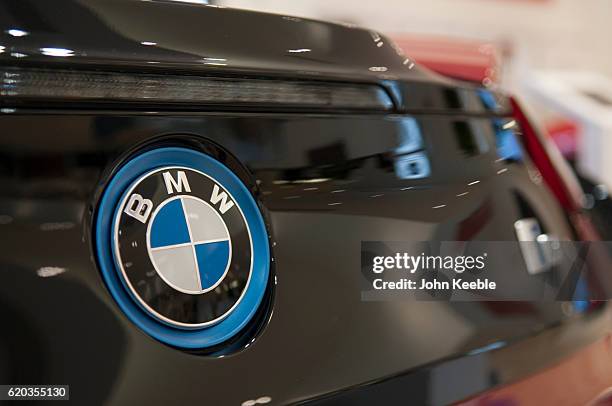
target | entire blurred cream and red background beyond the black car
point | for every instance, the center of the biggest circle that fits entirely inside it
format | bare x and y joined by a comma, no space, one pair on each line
555,54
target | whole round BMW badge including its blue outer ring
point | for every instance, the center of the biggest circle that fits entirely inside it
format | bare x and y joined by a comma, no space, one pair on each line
183,247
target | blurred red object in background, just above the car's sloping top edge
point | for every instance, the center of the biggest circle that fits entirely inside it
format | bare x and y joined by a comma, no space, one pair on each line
463,59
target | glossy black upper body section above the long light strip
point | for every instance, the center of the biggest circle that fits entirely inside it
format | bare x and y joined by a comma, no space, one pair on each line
164,37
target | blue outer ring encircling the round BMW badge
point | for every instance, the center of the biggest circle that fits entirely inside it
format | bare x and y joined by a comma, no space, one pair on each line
105,217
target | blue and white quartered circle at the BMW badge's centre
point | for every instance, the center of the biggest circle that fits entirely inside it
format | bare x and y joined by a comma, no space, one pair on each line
189,244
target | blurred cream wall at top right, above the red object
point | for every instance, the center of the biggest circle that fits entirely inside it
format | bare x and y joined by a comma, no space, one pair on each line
553,34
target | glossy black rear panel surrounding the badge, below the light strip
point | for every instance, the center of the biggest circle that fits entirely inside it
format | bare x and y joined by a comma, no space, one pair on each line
321,337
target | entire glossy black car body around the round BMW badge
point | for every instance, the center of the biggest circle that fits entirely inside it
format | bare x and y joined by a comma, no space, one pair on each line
330,167
